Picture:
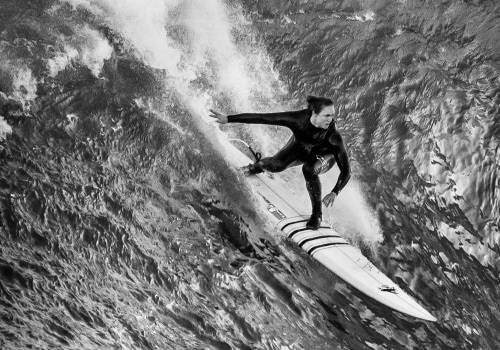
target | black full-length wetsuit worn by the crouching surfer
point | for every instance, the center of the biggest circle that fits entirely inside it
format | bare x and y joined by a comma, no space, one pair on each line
304,147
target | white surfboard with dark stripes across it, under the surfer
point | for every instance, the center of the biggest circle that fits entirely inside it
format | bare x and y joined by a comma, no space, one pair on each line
326,245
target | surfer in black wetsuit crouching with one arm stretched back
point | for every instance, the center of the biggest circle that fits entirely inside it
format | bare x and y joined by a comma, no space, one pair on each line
315,143
